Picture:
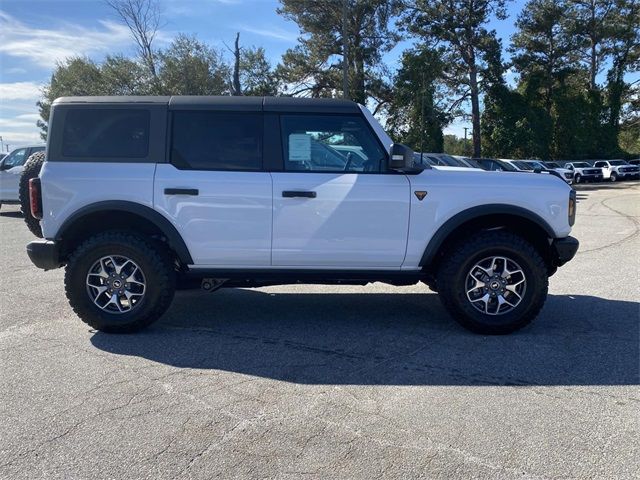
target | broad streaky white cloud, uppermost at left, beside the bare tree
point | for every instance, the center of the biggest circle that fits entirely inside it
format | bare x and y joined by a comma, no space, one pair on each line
45,47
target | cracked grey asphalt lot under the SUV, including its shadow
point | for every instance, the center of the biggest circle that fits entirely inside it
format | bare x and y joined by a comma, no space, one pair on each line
330,382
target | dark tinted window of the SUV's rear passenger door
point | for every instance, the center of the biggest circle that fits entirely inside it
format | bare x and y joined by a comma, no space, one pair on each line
216,140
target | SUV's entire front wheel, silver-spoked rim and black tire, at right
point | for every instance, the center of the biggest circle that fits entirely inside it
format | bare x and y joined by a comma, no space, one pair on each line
494,283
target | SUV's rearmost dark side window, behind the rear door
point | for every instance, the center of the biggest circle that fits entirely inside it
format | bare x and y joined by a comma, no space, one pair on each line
102,132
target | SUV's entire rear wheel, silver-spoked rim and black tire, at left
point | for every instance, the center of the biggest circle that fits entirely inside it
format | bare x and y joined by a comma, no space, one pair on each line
119,282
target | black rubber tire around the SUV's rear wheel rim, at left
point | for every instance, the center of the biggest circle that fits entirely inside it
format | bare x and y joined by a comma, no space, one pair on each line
153,261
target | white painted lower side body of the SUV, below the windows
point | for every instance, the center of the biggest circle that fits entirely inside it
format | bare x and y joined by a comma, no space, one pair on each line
357,220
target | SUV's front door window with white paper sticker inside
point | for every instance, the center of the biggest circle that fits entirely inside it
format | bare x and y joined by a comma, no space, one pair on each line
329,143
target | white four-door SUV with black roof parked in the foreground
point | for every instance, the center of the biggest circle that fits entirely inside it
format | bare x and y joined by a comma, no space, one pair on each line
139,195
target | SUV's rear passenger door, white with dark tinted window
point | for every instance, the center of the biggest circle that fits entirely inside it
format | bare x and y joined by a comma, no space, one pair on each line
213,188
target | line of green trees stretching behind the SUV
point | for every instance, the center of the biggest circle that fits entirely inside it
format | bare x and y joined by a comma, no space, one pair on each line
573,97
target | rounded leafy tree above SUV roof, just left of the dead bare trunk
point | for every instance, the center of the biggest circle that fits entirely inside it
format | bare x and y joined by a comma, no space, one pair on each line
190,67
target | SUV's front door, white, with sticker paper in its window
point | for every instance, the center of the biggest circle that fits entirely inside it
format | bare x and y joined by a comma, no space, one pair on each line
334,206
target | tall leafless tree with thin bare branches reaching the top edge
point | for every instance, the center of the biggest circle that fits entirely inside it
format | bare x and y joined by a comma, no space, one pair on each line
142,17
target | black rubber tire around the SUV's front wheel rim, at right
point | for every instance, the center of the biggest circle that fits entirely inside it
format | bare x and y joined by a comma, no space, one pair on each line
455,268
